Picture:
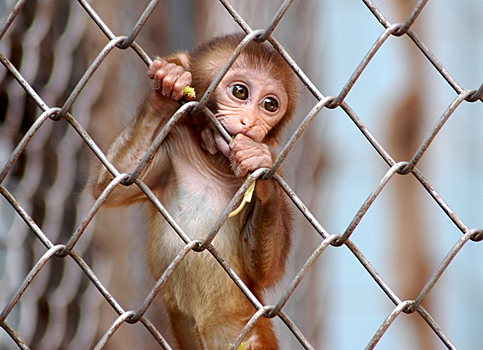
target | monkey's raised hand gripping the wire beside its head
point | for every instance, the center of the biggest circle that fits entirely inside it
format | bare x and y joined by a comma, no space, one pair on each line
169,83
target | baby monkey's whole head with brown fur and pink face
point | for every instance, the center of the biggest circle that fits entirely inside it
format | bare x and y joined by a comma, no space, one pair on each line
256,97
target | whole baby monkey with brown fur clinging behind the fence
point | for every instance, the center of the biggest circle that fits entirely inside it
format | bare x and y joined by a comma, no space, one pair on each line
195,173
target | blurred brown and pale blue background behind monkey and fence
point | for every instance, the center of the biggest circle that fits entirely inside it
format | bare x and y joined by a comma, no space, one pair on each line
332,168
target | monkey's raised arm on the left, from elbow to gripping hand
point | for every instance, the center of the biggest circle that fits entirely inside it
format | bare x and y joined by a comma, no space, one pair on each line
169,80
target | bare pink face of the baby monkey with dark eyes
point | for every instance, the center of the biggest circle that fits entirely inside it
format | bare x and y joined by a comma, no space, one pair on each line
248,103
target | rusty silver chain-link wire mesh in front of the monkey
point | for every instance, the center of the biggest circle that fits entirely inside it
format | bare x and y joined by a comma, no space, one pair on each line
72,246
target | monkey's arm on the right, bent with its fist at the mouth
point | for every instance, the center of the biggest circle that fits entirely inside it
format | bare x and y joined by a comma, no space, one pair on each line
268,219
